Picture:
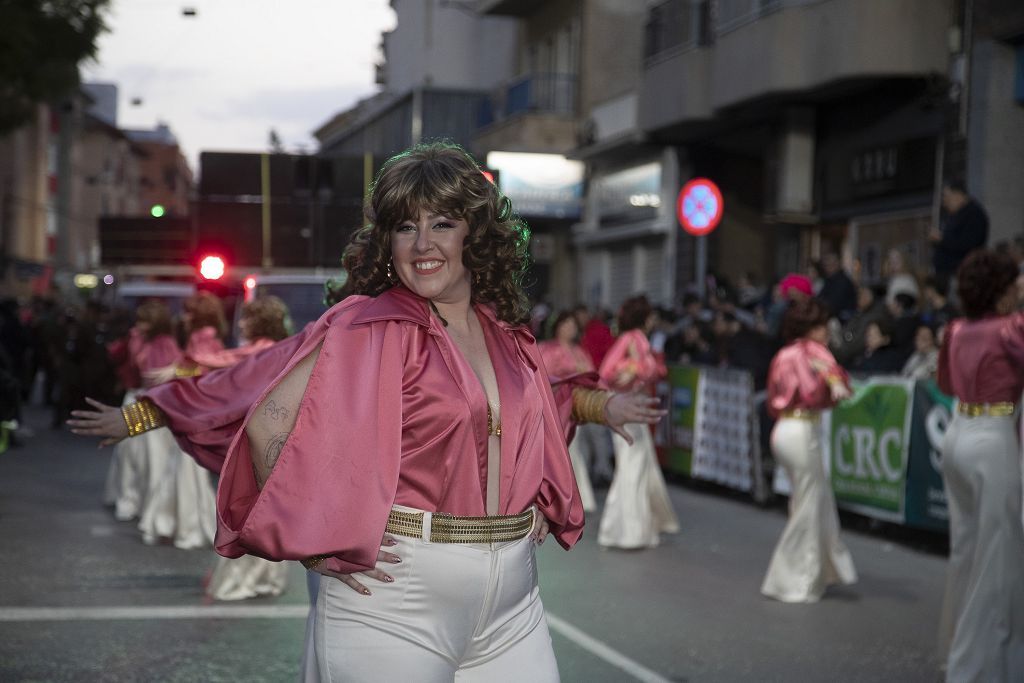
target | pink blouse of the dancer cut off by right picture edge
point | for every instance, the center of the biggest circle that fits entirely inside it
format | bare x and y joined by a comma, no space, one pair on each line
983,362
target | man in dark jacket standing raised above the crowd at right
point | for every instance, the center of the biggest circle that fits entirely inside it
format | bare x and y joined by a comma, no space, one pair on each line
965,230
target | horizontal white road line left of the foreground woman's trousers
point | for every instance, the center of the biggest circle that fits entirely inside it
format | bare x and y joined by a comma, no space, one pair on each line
185,612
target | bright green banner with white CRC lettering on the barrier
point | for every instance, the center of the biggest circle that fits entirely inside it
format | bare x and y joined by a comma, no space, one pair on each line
870,440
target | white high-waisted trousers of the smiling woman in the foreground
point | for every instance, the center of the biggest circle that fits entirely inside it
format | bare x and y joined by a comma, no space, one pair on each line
455,613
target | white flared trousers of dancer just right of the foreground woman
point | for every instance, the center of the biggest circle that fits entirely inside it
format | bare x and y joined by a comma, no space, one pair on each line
637,509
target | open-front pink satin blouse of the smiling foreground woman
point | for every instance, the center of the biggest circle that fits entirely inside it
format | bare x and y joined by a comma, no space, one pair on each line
394,414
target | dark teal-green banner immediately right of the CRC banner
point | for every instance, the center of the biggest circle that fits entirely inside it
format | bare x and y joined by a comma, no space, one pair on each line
926,495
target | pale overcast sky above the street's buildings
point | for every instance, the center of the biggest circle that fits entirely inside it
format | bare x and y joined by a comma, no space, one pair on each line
224,79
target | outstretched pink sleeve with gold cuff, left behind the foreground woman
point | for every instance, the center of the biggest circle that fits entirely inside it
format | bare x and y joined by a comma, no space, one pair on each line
205,413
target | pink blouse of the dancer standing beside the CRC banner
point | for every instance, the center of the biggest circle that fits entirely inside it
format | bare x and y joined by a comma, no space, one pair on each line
798,378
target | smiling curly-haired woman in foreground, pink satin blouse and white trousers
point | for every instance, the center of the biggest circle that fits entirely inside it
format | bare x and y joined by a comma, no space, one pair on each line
412,448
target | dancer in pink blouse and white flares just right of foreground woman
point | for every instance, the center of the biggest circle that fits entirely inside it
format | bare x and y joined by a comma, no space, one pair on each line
637,509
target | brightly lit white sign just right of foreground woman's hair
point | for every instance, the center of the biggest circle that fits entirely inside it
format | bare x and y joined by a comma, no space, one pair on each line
540,186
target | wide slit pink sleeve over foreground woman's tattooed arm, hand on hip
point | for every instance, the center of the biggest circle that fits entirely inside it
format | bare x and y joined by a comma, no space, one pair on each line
335,482
